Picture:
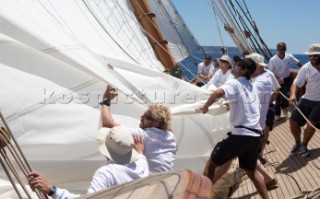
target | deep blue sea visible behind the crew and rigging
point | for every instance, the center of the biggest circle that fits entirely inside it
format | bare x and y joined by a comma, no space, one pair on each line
189,66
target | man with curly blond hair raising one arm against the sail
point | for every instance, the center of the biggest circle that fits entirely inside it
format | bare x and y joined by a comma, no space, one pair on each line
155,130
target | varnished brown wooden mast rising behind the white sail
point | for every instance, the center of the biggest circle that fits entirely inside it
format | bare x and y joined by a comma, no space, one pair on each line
150,25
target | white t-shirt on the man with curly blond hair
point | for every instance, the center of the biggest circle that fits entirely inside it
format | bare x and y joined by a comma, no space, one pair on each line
159,147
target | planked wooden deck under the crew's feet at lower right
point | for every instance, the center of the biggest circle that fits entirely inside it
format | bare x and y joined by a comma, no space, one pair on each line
295,174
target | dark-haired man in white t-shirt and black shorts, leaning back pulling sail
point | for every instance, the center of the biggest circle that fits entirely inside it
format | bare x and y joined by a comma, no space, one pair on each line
244,141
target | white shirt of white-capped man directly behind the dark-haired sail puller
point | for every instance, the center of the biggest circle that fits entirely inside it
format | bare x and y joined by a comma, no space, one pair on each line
264,84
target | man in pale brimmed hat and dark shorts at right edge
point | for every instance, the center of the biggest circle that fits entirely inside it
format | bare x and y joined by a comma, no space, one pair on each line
309,103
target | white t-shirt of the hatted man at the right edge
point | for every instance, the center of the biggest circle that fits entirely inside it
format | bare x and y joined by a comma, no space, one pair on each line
308,73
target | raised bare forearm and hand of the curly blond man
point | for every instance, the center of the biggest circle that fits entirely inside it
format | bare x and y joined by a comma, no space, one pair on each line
106,117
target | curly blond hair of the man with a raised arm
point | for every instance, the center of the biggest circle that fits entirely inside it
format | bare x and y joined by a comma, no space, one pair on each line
161,114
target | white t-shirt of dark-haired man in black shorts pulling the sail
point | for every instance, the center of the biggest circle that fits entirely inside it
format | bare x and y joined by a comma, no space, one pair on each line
244,105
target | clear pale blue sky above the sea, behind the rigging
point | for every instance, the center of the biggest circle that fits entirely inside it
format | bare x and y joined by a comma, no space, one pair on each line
292,21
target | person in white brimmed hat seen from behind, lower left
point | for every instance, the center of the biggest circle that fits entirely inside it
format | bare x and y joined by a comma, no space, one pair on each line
126,162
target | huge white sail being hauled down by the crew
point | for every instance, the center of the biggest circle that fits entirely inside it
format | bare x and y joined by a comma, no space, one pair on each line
56,58
